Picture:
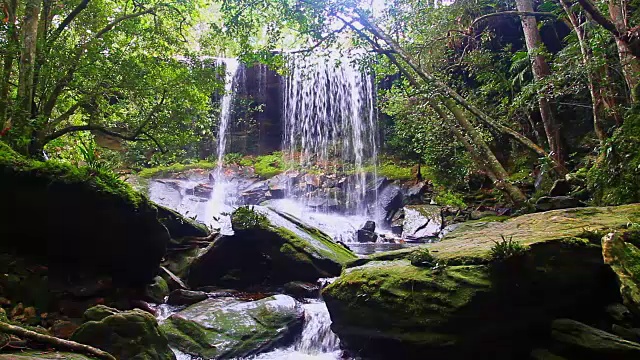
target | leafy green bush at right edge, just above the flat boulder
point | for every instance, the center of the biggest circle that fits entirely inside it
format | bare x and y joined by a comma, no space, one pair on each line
615,177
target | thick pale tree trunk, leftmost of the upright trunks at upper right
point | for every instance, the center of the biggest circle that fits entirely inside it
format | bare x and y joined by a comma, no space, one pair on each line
541,70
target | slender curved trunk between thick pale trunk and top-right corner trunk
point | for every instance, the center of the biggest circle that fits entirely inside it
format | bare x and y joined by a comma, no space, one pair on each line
593,79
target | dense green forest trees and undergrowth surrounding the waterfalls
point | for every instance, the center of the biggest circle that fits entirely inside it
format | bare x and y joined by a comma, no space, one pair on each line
471,90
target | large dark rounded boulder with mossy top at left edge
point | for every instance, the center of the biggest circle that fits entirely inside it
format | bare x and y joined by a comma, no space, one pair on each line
79,220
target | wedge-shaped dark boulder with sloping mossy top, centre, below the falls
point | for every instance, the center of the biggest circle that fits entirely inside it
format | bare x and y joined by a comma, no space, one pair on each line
268,249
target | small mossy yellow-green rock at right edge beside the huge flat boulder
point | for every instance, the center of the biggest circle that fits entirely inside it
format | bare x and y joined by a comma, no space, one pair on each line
621,253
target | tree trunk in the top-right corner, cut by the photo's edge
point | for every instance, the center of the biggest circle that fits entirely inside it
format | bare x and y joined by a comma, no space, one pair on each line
630,63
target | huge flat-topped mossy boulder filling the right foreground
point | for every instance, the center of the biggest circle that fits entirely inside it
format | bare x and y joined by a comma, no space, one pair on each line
470,305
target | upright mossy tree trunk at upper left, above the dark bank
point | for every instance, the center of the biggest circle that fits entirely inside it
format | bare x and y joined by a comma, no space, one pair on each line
25,79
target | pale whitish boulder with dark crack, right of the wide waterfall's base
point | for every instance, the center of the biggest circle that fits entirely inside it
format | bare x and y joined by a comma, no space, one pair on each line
421,222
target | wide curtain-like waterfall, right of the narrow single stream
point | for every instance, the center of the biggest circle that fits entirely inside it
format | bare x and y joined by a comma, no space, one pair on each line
330,122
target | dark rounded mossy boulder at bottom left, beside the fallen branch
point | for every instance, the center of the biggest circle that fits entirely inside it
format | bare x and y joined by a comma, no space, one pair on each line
132,334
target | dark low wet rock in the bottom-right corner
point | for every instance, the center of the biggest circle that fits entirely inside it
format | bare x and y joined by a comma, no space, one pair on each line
585,342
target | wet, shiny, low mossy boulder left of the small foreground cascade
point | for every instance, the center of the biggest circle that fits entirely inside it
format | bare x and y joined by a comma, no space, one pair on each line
226,328
